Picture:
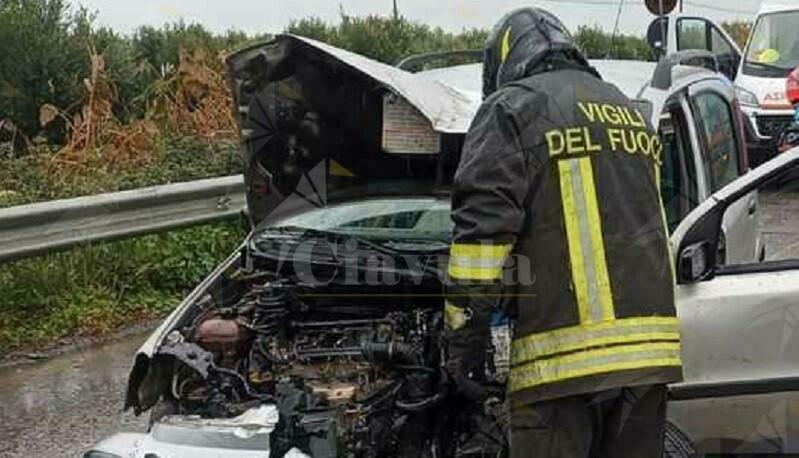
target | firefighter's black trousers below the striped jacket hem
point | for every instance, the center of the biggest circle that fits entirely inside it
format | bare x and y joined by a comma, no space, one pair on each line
626,422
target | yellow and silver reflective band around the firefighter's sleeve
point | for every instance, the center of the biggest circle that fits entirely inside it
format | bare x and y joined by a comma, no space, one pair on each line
477,261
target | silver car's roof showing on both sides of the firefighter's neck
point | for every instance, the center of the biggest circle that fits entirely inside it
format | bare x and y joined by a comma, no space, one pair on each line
628,75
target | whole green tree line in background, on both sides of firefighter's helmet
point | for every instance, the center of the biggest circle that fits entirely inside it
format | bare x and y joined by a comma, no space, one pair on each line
45,55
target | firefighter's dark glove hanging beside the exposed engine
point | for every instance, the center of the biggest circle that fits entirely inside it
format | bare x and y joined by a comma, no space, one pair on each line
466,340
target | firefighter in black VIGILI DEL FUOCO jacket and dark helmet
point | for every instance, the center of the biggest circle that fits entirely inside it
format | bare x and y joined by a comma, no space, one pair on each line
560,172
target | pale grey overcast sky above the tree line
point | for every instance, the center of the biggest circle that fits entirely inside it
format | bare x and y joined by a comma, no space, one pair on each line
258,16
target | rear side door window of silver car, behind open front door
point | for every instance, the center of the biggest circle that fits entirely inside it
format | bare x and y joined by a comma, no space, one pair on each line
717,129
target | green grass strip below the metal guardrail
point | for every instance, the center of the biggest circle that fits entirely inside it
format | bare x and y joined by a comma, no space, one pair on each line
94,290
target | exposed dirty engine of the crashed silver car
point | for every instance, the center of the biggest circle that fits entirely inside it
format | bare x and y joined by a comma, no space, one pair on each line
353,371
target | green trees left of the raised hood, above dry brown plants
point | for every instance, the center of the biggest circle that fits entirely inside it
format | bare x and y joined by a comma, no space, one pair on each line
45,50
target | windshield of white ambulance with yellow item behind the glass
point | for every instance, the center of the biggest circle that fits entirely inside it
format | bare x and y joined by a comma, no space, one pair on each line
774,47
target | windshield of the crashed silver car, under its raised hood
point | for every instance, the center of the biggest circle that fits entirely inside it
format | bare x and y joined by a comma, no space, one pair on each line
406,218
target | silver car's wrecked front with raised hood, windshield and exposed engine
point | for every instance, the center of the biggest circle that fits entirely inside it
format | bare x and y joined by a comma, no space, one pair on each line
323,332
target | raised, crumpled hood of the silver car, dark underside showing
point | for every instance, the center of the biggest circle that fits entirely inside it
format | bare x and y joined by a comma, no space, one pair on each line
320,122
